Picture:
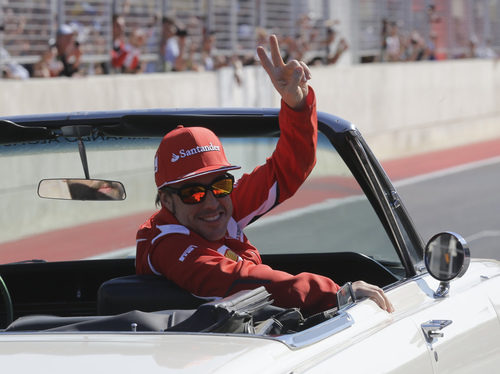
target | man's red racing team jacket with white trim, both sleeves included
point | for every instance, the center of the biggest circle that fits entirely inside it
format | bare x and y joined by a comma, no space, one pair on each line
215,269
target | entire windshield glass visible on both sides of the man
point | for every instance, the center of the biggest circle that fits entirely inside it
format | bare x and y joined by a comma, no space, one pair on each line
330,213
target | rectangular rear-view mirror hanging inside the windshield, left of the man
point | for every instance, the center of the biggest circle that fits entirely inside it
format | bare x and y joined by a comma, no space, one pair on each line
81,189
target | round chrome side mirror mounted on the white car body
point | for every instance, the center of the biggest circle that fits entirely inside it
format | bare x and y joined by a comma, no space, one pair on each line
446,257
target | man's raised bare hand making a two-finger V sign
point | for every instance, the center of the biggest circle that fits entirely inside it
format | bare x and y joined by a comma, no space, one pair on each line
289,79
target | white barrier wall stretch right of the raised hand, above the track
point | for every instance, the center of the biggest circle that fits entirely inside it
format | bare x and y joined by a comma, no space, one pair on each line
407,108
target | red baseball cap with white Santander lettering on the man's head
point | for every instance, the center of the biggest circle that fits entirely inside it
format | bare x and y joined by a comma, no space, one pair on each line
188,152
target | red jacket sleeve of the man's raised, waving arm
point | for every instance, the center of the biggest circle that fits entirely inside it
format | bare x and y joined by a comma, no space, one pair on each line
285,171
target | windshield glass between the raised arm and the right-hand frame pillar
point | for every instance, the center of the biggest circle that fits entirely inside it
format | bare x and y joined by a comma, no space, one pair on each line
330,213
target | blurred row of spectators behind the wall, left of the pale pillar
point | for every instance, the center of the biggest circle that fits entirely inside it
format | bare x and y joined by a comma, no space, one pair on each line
135,49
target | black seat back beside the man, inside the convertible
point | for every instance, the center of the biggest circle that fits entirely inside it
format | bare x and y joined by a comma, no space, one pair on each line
146,293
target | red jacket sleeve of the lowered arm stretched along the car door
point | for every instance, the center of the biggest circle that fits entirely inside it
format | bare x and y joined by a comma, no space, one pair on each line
205,272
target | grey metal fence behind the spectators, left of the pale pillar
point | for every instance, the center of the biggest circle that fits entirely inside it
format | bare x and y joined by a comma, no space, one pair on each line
27,27
